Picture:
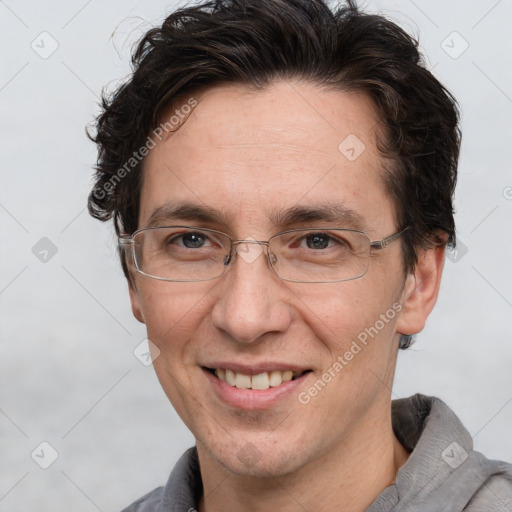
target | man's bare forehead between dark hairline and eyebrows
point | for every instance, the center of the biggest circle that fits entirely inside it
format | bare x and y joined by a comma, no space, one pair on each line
254,155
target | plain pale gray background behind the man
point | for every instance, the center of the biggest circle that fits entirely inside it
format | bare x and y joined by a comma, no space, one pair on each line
68,373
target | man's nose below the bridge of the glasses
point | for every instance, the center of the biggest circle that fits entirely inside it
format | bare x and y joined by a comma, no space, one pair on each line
252,301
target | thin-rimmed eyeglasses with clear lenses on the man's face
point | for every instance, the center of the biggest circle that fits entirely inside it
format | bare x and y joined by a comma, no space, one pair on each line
305,255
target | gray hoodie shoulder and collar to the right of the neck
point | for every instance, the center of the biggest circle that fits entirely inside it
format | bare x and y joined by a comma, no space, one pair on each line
444,472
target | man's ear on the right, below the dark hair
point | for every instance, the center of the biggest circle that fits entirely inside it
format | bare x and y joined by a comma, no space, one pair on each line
420,290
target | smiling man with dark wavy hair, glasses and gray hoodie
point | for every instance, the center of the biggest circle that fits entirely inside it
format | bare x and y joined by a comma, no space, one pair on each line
280,178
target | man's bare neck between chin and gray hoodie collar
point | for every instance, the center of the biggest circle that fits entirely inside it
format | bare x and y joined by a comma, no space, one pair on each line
354,473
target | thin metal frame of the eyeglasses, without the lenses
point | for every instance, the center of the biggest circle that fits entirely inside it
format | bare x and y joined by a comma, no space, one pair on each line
125,240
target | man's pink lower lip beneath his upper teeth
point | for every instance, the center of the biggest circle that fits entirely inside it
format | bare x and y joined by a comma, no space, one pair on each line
254,399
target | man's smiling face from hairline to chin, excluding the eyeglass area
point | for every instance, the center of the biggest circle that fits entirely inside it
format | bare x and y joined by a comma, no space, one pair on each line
248,156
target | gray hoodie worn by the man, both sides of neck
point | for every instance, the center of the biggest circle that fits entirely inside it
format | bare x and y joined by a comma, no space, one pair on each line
442,474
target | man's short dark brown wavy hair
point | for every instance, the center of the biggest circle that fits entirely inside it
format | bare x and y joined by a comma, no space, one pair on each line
253,43
